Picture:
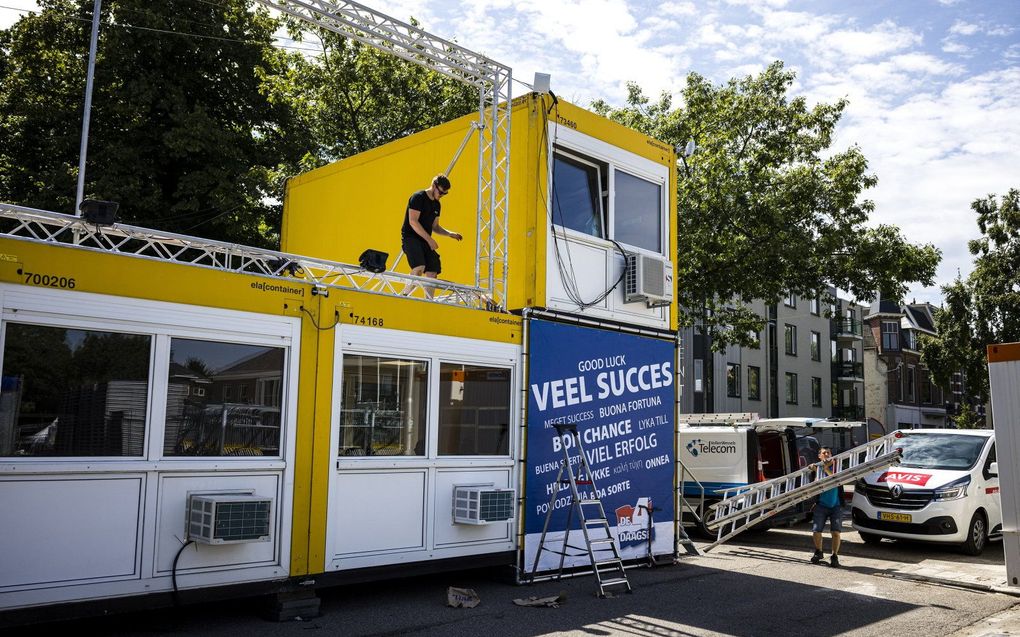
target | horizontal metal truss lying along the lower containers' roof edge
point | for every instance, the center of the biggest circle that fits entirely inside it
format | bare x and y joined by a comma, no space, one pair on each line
74,233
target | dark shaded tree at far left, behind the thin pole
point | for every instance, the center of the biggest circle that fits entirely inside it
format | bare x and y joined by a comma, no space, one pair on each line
186,133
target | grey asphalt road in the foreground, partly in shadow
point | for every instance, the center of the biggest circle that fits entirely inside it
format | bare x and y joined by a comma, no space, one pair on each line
757,586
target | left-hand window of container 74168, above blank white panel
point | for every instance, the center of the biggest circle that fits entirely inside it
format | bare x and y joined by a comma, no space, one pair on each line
383,407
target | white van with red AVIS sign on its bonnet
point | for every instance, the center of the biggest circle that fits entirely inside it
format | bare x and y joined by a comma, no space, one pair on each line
946,490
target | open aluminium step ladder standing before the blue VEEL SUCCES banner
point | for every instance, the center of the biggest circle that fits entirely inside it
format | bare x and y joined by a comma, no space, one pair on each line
600,546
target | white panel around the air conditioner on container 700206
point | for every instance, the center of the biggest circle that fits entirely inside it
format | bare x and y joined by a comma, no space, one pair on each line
172,530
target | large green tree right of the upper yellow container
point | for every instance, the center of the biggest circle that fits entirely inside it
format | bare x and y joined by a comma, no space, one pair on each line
766,206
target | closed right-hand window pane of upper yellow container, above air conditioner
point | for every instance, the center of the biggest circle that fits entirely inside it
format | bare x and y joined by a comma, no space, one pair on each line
638,213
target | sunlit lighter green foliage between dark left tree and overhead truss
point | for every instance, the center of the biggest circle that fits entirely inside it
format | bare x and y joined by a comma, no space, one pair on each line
356,97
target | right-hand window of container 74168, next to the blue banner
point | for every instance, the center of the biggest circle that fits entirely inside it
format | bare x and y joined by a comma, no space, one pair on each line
475,410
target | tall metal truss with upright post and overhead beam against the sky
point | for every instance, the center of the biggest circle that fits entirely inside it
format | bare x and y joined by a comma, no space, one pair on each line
490,78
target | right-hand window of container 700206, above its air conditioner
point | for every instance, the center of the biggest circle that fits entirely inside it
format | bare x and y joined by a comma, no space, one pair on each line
224,399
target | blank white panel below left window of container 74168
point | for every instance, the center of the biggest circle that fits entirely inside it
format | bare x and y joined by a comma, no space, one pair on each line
379,512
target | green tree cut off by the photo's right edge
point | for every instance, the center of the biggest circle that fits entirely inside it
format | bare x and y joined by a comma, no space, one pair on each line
985,308
